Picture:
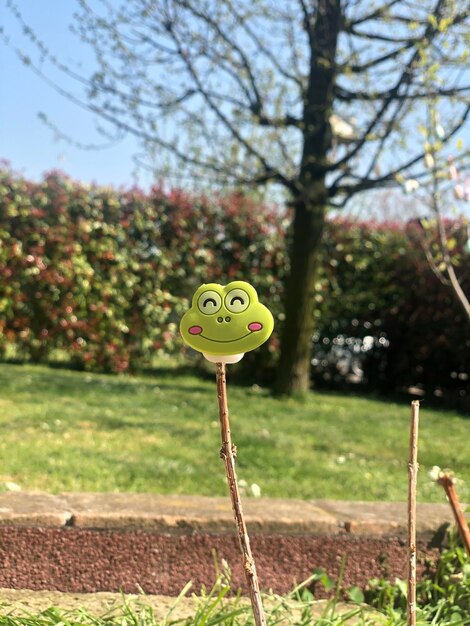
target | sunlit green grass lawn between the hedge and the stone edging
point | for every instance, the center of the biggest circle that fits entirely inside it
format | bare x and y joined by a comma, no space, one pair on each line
73,431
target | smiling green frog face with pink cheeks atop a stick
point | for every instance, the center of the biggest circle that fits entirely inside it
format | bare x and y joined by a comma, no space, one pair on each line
226,320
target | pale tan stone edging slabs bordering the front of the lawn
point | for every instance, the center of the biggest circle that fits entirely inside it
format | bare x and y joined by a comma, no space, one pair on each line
197,514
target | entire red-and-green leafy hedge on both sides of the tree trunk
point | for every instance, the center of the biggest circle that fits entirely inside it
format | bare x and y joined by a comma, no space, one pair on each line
102,276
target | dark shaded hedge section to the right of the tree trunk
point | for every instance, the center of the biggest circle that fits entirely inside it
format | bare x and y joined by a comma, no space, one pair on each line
380,301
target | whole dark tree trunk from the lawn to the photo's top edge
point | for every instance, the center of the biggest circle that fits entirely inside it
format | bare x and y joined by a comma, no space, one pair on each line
322,27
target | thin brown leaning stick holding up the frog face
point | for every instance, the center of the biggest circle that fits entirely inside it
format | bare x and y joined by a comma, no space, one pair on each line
228,453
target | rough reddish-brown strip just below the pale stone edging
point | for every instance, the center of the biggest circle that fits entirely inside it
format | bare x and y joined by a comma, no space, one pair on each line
79,561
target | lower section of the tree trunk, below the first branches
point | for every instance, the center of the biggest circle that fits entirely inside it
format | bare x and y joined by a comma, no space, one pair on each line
293,374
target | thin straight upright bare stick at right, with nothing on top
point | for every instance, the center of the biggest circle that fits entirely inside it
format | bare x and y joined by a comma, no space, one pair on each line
412,480
